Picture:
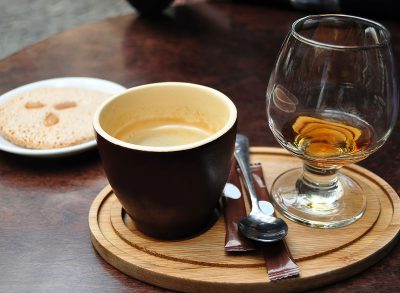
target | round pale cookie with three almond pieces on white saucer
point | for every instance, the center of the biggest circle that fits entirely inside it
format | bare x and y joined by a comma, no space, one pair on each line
48,118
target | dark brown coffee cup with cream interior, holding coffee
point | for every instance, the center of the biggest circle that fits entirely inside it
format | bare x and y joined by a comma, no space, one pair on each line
166,150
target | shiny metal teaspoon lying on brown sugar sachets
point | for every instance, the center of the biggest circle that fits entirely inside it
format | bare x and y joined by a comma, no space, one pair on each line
257,225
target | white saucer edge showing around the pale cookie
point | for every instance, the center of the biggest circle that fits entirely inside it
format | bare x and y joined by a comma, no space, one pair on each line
81,82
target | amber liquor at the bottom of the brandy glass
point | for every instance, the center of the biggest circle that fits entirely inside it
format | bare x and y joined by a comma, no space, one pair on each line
329,137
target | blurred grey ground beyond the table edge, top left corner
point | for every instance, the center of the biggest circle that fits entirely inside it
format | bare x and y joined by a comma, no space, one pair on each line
24,22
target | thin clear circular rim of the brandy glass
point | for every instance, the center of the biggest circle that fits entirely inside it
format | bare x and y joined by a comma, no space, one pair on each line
302,38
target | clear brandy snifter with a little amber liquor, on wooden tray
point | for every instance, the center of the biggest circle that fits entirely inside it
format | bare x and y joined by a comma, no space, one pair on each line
332,100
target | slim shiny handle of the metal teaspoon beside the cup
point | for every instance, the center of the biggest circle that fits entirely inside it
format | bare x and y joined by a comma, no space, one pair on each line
242,157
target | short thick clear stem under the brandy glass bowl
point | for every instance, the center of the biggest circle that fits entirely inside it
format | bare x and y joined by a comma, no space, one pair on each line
321,187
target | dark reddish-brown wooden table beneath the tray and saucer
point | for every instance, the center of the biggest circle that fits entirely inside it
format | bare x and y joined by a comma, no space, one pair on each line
44,203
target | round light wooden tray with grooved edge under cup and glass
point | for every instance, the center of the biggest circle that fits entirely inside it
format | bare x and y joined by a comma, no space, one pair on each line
199,264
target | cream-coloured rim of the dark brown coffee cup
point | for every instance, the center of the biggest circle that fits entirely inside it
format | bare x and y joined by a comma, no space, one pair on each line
230,123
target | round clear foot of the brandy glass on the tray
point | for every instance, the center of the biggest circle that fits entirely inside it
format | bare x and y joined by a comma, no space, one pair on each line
316,207
